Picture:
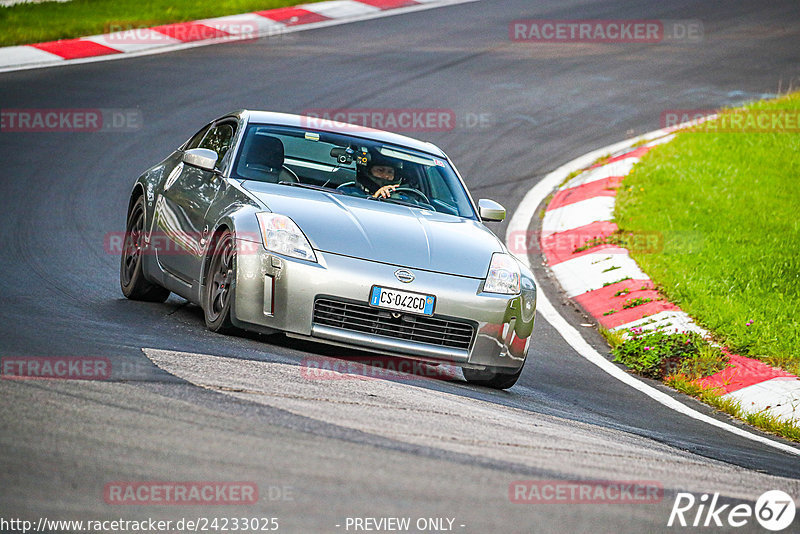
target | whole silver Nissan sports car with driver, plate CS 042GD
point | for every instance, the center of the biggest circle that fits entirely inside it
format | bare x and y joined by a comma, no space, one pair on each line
335,233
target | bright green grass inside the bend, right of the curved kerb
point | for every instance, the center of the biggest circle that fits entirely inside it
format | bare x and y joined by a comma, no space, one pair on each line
727,205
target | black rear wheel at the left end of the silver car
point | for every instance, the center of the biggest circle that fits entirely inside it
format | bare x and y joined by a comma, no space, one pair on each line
131,278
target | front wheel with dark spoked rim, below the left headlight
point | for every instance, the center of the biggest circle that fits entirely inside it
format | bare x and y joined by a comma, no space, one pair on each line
220,281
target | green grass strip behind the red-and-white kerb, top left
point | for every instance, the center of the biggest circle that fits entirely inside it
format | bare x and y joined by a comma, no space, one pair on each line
34,23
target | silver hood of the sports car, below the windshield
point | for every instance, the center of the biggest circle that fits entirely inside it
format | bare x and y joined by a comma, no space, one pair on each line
382,231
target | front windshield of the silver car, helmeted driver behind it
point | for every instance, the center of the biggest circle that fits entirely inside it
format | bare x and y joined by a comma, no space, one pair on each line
350,166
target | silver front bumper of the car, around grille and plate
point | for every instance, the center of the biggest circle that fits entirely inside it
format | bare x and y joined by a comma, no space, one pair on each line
275,293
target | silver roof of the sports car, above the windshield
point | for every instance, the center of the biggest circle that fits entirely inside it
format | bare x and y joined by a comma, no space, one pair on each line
324,125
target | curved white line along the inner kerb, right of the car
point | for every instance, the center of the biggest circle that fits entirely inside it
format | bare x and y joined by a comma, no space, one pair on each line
519,223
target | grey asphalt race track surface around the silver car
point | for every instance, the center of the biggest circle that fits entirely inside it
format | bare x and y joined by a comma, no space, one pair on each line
238,408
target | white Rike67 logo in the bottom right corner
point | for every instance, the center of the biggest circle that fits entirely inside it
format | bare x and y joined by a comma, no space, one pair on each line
774,510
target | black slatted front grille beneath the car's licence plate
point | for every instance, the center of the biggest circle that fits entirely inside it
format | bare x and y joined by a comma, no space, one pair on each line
417,328
